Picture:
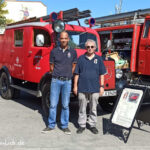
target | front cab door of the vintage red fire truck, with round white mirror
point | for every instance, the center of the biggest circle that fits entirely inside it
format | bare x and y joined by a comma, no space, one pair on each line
37,56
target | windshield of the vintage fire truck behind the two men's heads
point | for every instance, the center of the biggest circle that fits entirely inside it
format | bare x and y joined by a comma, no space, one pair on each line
78,39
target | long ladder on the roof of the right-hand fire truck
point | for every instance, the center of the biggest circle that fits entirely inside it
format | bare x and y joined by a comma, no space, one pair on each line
133,15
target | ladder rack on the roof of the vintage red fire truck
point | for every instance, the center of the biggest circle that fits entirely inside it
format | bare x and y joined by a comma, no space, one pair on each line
67,16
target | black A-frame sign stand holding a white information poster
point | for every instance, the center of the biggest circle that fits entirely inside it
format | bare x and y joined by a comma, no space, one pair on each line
125,111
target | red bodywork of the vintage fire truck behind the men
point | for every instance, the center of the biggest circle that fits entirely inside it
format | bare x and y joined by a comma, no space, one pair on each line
30,63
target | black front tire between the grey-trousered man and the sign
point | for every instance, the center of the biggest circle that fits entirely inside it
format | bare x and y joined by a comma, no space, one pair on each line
107,103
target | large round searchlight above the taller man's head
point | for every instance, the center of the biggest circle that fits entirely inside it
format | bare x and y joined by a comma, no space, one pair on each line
58,26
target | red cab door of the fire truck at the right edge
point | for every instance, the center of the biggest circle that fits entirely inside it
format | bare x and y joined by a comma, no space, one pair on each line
144,50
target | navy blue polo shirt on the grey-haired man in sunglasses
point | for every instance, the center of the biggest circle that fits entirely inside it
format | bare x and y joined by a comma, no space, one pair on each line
89,72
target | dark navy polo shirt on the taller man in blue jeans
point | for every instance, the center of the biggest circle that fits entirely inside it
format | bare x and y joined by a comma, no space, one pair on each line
63,61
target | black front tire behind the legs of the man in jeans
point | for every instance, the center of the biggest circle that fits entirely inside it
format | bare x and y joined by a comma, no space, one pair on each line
46,101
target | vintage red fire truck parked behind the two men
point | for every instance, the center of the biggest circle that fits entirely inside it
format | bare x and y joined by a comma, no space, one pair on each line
24,53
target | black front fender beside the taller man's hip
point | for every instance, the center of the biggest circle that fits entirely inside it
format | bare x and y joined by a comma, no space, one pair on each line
45,79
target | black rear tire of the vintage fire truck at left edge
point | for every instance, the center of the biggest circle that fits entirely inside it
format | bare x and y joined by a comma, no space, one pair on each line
5,89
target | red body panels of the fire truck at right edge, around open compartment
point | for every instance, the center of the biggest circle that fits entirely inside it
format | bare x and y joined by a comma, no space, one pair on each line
140,51
